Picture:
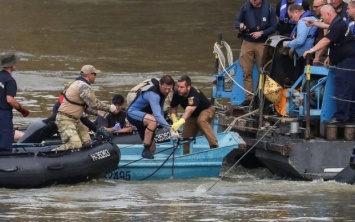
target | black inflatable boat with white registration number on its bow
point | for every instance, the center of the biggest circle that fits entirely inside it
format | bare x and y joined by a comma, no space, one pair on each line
34,165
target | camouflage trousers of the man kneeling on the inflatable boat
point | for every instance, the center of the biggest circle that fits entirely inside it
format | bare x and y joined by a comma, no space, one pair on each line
72,132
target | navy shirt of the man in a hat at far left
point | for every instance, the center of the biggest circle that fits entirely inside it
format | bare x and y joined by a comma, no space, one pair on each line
8,87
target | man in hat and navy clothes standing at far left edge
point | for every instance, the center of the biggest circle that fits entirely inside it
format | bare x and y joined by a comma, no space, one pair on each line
8,89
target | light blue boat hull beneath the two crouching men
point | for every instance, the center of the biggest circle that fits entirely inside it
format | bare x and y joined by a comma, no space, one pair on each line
169,162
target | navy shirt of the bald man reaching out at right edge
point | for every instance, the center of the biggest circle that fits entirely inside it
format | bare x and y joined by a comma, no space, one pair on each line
342,42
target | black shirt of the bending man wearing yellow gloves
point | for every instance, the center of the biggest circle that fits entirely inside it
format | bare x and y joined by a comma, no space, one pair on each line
194,98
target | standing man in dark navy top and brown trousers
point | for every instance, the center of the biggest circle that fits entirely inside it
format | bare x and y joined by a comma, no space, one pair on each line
256,21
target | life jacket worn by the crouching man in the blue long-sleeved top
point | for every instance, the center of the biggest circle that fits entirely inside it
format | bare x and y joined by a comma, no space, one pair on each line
149,85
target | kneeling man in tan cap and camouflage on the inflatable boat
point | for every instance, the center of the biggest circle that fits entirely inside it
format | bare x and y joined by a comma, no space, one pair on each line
79,97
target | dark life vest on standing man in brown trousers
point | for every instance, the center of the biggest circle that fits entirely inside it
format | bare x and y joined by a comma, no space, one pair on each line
250,19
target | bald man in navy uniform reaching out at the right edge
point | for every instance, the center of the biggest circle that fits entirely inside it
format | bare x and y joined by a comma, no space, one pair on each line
342,55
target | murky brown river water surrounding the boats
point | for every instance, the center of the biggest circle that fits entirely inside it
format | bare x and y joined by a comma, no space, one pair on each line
130,41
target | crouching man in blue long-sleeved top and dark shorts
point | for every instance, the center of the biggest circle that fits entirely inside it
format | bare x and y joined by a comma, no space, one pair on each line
147,110
